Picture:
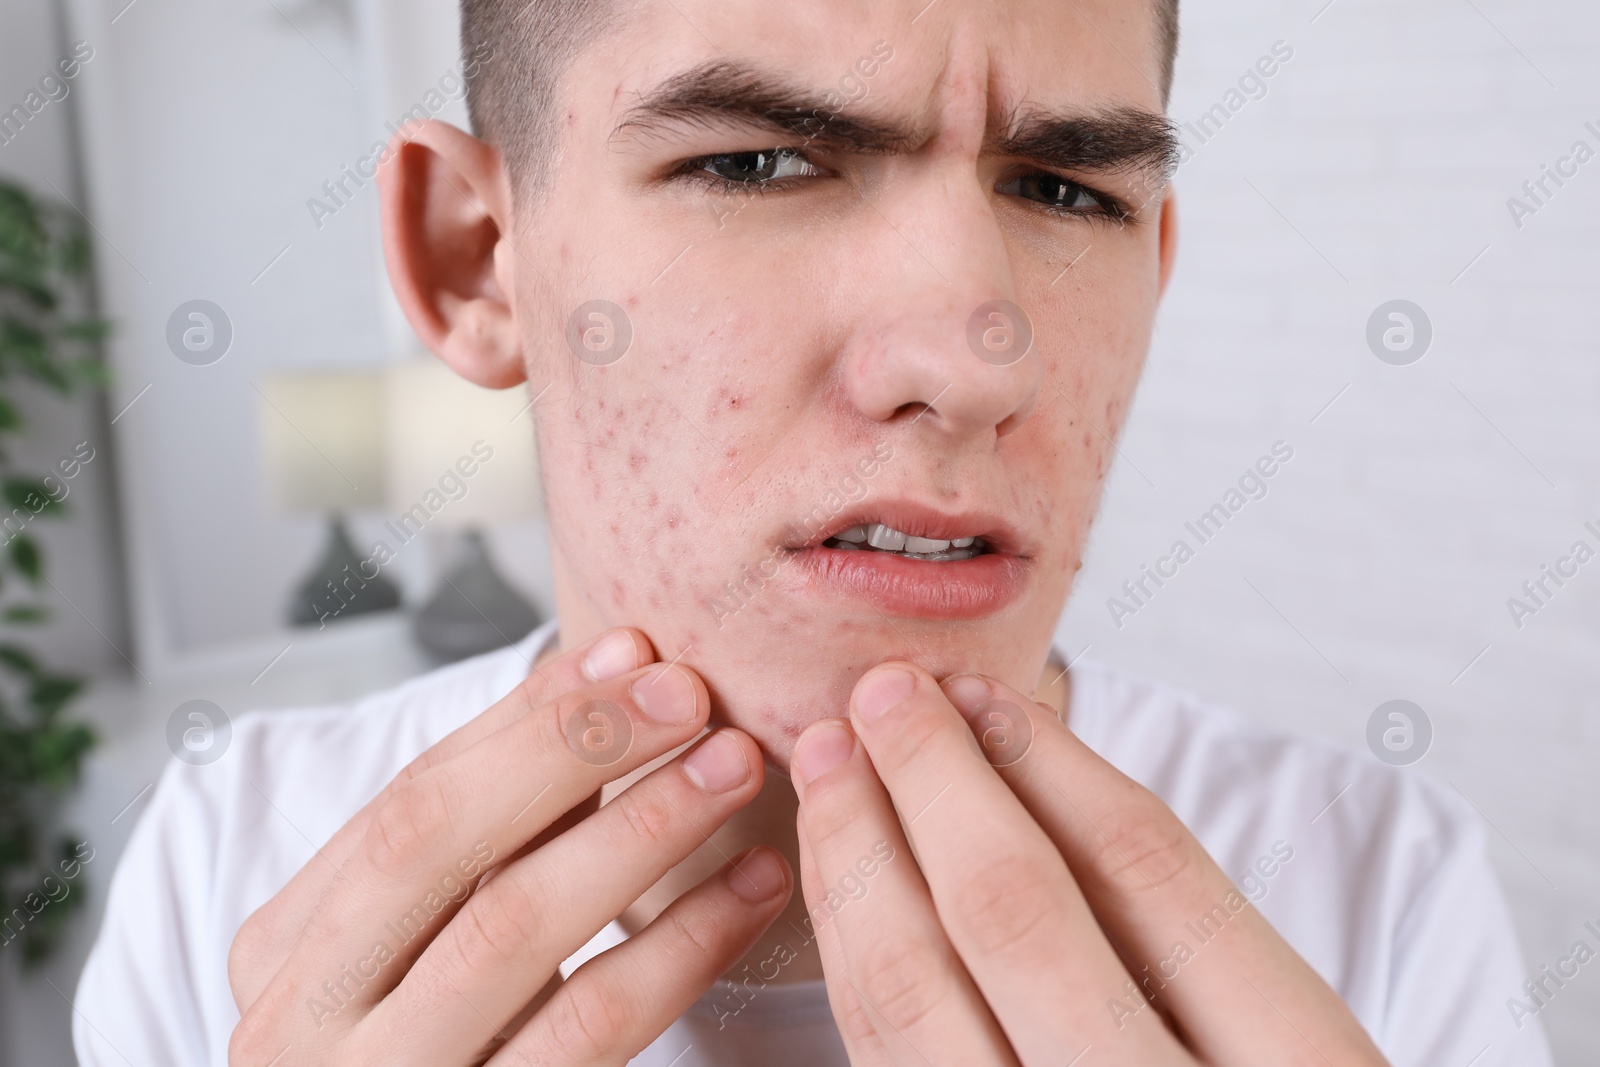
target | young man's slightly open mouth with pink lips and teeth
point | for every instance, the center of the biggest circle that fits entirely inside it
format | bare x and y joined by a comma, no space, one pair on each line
914,562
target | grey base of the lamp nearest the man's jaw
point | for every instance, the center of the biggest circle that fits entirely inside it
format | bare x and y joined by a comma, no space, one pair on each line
474,610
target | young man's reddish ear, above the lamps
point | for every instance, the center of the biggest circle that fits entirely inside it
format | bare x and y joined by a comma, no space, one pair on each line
447,207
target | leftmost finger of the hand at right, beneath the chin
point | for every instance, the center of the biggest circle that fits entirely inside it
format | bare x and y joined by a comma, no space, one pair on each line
898,962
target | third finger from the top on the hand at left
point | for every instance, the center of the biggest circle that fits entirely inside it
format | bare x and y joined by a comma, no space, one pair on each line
514,933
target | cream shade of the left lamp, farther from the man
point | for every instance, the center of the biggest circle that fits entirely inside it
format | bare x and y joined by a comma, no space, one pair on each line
322,441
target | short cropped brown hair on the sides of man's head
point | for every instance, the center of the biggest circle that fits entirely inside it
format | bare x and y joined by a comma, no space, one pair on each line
524,47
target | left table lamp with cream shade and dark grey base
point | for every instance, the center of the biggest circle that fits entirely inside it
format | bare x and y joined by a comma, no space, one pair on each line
322,442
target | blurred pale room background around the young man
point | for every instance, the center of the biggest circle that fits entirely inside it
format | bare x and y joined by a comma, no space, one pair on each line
1377,271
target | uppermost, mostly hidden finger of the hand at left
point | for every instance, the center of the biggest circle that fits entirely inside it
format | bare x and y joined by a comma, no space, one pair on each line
268,937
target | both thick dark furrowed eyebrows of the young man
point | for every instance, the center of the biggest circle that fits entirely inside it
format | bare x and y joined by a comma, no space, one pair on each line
721,92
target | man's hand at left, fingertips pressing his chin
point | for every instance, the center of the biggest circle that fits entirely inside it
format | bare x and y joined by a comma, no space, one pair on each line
393,946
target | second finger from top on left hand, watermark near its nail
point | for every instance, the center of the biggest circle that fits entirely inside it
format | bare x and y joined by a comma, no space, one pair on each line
430,844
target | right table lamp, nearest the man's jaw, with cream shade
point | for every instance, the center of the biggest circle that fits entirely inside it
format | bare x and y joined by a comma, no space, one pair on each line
462,457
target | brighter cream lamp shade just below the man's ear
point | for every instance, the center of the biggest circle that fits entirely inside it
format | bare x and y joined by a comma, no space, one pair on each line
460,455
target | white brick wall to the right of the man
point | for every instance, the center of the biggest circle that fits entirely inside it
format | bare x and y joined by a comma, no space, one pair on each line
1393,540
